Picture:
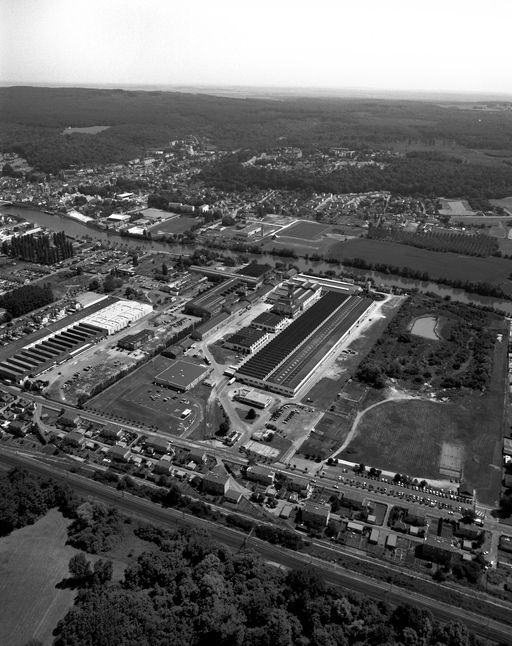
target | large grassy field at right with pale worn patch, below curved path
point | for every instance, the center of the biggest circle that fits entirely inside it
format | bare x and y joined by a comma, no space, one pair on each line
408,437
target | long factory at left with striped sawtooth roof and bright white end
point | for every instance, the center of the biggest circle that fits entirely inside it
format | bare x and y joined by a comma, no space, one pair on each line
71,336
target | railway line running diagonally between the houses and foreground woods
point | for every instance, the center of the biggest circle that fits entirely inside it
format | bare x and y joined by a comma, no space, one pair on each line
331,572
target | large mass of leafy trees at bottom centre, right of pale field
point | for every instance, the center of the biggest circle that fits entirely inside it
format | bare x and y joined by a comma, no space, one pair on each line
191,592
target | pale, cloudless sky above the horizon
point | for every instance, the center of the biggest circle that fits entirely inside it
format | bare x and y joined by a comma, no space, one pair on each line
433,45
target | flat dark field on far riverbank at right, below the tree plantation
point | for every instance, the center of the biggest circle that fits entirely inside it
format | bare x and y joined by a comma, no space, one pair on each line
437,265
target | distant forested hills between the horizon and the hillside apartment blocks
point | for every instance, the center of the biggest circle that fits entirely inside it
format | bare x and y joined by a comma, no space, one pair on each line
32,120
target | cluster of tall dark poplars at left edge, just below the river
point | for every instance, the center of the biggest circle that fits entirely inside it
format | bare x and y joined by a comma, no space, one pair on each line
43,248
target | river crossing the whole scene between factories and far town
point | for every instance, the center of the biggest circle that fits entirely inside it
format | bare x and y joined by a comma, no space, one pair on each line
78,230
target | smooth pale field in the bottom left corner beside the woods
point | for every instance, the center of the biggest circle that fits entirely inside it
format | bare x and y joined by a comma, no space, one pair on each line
33,560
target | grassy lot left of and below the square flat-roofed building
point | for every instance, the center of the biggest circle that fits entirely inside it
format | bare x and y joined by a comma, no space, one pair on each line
130,399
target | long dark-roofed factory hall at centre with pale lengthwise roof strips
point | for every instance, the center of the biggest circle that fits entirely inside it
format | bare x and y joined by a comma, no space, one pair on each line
286,363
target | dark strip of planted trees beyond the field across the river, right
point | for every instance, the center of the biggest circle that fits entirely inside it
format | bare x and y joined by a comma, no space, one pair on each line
480,245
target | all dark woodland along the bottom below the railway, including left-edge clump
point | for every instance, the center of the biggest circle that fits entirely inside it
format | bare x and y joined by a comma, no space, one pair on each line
187,590
